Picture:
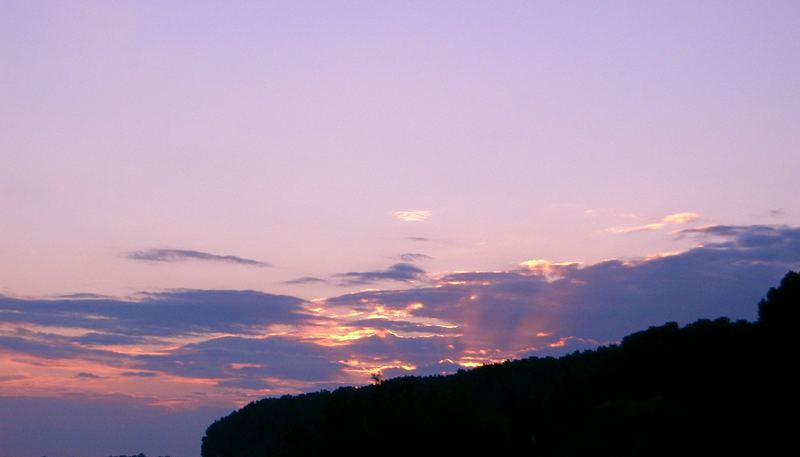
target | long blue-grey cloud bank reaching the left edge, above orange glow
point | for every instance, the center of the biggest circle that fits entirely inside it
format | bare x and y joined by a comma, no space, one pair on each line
154,315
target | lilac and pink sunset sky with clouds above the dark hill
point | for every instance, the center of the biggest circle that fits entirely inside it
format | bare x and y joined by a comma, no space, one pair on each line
205,203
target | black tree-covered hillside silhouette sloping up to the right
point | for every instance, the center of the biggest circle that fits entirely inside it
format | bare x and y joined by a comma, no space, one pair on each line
713,387
